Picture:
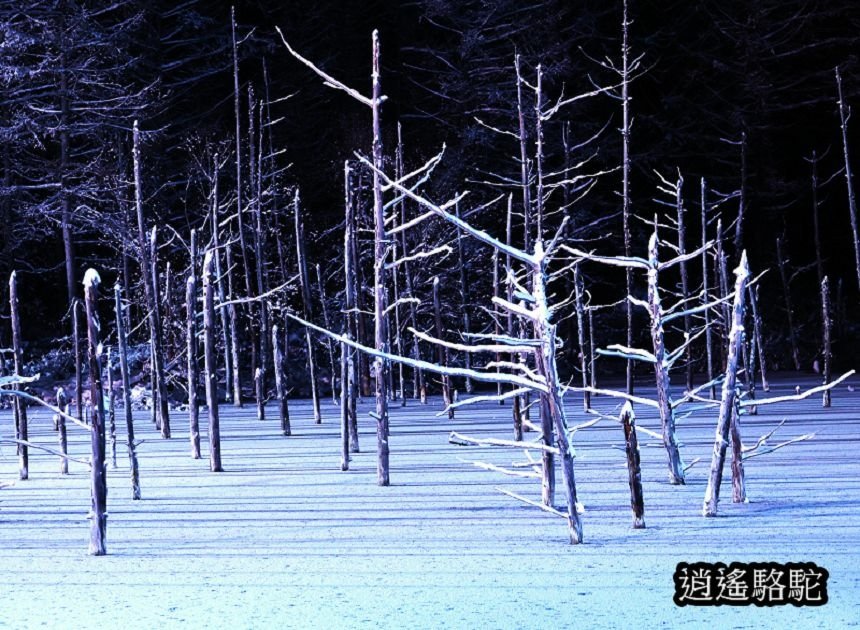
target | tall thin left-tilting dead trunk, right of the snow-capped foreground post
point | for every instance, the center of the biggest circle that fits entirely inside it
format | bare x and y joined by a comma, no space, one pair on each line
147,271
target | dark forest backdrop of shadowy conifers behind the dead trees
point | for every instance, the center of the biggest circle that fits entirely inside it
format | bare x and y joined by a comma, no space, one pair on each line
74,75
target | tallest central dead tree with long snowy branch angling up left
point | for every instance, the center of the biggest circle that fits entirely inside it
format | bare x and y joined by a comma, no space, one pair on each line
381,252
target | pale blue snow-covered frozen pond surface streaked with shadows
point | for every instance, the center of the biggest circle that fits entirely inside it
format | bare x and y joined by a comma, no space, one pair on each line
284,539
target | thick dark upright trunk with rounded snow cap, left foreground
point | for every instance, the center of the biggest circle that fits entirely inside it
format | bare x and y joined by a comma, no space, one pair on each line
98,529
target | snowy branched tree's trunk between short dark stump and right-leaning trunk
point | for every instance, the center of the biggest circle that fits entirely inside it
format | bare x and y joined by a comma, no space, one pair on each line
667,414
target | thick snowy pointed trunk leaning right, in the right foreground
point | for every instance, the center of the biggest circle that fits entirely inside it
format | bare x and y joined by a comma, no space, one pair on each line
727,400
